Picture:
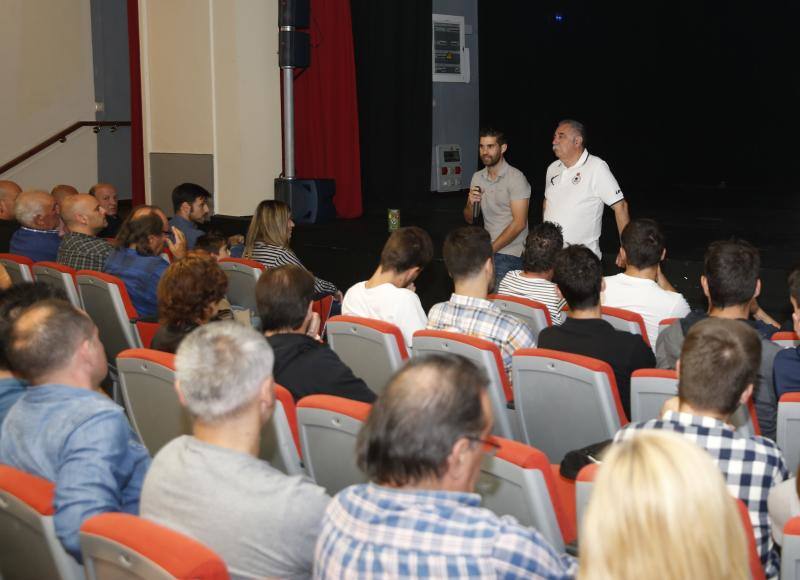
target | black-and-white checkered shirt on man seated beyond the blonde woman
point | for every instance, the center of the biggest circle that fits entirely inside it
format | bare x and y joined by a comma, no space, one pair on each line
752,466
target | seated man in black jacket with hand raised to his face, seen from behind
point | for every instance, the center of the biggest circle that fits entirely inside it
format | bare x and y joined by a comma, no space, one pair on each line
303,364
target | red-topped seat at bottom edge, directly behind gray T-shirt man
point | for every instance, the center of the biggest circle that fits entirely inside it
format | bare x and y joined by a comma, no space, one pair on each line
117,546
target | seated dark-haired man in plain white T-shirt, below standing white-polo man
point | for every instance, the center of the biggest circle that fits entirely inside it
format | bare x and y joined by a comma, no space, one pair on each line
643,288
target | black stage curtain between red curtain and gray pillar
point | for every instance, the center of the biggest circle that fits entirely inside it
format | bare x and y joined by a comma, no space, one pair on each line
393,65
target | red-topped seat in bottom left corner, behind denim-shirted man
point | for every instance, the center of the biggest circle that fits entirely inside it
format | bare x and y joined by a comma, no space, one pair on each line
29,547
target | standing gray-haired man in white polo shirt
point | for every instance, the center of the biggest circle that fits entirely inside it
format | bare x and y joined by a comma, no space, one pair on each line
576,188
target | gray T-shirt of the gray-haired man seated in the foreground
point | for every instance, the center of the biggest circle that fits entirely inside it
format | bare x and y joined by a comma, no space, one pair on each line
259,520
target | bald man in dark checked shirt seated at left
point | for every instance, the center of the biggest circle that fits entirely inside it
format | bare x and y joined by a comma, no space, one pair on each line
80,247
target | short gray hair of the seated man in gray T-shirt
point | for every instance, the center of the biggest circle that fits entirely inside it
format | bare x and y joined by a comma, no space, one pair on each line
220,367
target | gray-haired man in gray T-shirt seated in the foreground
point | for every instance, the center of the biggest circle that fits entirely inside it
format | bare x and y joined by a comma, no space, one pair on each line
211,485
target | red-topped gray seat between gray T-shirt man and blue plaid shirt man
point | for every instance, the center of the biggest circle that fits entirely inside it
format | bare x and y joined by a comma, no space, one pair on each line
328,429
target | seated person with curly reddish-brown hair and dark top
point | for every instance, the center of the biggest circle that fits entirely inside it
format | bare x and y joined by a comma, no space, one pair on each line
189,296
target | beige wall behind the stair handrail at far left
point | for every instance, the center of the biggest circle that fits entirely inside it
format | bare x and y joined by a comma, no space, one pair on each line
48,84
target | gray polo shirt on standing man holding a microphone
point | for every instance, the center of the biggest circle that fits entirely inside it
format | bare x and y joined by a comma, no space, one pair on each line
510,185
